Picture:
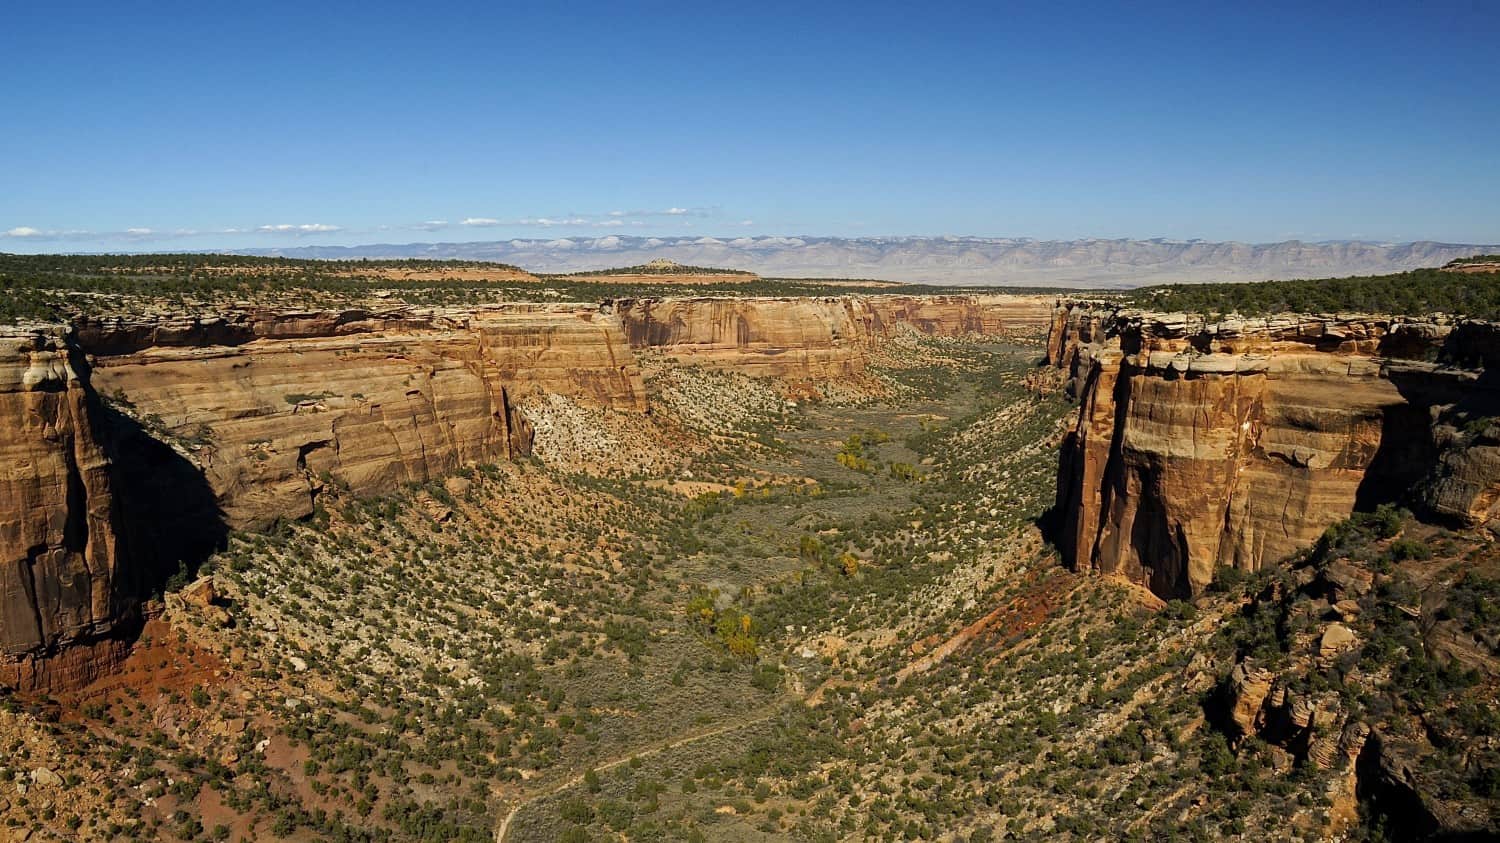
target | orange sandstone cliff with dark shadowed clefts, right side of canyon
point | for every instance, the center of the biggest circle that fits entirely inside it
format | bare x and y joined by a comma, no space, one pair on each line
1237,443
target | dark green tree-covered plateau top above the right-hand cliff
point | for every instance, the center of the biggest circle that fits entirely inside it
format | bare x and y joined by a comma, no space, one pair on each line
1411,293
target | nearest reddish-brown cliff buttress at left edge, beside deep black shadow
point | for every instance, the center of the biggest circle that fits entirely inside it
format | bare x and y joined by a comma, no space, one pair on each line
61,544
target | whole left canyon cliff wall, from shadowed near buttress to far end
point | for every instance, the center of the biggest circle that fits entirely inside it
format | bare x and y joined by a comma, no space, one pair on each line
134,445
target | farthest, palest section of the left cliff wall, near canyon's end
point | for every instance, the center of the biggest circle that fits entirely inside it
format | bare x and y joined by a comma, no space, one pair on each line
812,340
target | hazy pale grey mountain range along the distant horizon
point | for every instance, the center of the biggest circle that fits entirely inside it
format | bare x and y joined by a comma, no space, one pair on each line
943,260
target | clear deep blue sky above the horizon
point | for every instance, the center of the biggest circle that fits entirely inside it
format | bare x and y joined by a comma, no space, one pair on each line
217,125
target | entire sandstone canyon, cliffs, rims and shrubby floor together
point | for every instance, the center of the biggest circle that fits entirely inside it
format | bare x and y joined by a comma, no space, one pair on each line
464,554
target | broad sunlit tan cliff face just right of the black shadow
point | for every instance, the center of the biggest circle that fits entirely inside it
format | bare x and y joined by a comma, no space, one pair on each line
272,407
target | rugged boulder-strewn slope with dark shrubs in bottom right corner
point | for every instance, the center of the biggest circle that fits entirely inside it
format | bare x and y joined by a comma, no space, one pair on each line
1376,656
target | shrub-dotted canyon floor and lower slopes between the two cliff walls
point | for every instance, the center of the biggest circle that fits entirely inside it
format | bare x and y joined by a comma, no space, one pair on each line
739,619
